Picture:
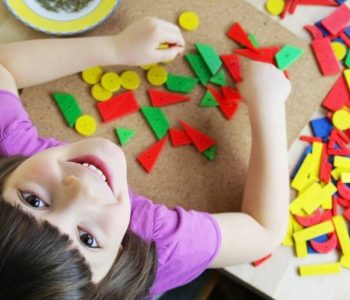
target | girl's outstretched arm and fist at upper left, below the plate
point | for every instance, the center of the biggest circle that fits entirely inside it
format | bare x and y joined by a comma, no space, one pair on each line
38,61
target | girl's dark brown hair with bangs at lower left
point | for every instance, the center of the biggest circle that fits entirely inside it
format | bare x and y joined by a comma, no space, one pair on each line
37,261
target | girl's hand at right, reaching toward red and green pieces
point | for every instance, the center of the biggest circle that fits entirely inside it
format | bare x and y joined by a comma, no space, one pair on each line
263,84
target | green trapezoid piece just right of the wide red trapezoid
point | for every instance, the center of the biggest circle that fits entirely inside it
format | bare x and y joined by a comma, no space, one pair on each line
157,120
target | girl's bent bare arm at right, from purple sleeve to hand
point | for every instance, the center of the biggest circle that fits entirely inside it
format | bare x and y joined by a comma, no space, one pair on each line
261,226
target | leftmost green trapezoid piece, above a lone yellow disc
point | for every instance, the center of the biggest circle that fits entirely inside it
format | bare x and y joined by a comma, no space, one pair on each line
68,106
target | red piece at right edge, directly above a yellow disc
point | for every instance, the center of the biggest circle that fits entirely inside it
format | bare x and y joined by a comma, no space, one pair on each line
338,96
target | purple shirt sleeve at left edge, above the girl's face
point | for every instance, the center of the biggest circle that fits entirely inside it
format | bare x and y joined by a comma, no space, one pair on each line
18,135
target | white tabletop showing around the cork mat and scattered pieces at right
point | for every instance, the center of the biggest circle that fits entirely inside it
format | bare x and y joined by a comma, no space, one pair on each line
278,277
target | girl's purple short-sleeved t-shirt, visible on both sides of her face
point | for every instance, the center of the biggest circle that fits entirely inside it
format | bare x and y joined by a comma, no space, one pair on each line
187,241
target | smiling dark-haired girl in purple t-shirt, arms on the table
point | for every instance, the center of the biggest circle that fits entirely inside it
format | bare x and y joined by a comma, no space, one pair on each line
81,188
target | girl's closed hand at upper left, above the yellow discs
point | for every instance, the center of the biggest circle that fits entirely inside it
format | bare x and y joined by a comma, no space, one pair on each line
139,43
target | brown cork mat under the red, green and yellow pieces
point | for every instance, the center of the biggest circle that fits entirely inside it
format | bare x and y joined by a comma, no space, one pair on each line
182,176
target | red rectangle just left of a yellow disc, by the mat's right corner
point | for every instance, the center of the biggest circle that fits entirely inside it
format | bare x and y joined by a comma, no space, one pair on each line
325,57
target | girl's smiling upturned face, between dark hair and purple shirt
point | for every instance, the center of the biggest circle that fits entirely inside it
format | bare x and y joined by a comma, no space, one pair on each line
94,213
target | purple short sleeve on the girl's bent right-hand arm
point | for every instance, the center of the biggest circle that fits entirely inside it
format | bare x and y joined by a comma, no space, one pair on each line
187,241
